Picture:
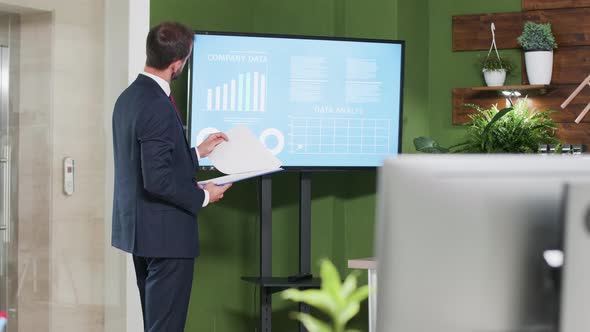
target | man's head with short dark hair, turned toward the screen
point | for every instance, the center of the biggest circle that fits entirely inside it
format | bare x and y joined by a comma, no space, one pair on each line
166,43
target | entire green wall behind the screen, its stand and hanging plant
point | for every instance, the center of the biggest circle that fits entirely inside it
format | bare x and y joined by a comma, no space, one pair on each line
343,203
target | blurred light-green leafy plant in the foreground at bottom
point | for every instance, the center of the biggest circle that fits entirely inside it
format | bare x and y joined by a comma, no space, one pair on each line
339,301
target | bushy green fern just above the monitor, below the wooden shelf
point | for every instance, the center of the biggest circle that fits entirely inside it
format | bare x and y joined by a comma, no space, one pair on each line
515,129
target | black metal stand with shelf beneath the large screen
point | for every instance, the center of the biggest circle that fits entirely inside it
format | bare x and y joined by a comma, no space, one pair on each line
304,279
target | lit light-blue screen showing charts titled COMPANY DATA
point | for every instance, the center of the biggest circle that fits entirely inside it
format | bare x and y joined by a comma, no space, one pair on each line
313,101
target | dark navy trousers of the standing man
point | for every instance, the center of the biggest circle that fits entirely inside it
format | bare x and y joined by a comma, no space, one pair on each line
165,289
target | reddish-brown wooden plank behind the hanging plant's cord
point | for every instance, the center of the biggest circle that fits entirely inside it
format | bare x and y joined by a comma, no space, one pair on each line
472,32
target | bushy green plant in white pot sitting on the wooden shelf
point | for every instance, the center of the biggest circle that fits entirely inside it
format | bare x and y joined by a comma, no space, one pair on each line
538,43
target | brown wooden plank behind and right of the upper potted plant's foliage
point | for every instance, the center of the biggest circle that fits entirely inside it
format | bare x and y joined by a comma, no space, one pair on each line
571,26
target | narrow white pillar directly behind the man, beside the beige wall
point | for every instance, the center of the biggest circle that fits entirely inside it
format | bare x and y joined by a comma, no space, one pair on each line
127,25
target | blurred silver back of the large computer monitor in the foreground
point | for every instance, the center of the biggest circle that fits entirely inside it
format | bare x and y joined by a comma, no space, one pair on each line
460,241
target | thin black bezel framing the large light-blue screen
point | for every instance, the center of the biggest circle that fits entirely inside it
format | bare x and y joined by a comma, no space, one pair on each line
312,37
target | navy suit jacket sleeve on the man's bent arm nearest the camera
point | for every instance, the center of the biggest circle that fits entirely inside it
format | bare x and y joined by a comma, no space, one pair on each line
156,131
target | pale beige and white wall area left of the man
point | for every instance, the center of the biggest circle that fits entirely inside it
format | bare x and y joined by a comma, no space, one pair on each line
75,58
